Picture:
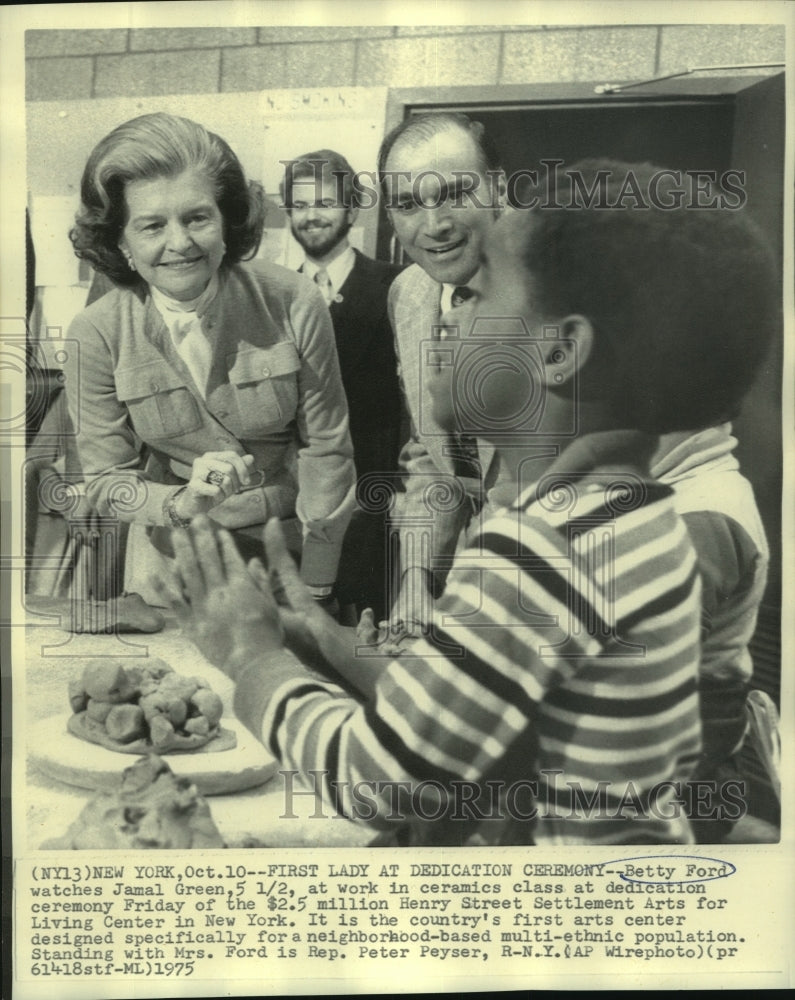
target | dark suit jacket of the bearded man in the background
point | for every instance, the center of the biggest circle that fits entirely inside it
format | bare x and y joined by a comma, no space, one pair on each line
366,351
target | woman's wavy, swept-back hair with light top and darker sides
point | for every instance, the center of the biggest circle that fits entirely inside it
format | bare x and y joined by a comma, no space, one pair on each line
152,146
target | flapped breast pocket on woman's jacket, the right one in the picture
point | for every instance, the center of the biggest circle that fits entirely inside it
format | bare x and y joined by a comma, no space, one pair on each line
265,385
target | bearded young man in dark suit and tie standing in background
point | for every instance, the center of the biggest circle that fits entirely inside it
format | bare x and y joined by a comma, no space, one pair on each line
322,205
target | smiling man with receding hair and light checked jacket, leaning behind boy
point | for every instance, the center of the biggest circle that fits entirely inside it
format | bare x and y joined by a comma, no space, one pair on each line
444,189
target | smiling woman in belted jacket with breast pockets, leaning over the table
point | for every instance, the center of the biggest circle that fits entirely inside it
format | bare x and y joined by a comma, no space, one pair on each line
203,384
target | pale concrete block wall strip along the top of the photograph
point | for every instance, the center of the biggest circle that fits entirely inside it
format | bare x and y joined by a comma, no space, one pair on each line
78,64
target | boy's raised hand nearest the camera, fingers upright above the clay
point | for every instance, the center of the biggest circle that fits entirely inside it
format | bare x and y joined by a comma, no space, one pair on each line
221,608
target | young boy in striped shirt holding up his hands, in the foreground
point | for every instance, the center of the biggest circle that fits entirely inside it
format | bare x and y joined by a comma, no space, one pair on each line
555,698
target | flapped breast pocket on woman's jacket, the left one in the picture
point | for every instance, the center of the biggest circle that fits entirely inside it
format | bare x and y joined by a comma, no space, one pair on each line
159,402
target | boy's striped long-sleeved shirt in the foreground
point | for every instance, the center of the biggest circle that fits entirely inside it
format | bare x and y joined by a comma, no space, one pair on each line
563,652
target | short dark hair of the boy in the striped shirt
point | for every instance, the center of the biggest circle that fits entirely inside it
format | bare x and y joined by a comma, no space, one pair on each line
683,300
